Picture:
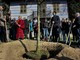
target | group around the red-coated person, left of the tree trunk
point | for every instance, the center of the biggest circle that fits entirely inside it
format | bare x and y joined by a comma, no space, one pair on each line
23,28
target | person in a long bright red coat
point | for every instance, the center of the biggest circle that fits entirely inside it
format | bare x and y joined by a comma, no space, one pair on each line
20,28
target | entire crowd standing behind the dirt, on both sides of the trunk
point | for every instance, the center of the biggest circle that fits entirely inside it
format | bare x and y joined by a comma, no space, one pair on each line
50,29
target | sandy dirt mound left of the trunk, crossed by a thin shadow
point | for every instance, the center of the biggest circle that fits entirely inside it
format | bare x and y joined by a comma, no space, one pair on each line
15,50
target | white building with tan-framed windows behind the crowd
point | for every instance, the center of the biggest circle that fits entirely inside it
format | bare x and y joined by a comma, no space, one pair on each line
28,8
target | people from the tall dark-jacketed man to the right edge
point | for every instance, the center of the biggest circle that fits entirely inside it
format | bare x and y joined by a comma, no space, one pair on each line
65,27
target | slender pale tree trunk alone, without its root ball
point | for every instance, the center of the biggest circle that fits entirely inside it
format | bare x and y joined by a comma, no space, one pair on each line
39,2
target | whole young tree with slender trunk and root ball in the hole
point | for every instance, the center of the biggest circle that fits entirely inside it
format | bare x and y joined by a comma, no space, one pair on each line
39,53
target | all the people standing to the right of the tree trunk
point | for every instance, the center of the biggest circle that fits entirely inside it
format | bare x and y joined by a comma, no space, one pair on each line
55,29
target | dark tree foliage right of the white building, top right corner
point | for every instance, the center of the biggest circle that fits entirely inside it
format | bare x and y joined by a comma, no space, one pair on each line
73,7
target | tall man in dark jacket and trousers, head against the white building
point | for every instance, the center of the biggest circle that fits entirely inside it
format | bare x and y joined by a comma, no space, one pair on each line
56,27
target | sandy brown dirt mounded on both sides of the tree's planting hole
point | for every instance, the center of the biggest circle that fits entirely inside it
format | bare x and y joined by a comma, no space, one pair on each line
15,50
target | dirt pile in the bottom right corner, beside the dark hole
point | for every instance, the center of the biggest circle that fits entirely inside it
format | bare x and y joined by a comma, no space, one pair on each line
70,54
